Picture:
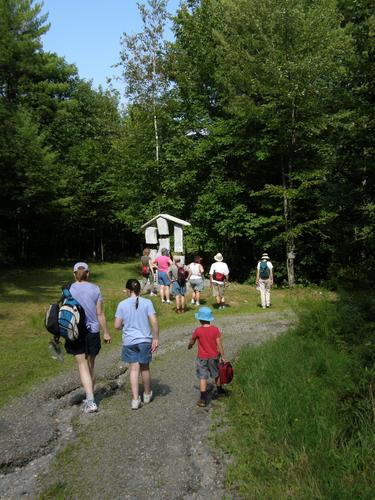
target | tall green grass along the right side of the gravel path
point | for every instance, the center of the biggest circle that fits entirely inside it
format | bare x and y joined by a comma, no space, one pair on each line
295,425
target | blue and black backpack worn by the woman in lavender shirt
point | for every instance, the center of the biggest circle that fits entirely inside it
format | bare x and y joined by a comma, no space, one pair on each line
67,318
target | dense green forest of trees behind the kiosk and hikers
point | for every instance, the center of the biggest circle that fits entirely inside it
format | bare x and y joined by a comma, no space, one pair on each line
255,124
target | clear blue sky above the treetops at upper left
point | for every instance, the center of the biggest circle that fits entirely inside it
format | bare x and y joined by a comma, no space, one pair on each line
87,33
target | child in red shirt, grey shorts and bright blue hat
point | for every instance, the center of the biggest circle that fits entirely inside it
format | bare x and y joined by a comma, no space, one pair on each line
210,349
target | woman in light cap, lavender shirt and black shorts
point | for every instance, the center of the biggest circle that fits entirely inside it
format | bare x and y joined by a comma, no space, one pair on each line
89,297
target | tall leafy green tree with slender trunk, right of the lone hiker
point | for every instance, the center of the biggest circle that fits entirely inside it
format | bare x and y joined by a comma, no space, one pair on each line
282,66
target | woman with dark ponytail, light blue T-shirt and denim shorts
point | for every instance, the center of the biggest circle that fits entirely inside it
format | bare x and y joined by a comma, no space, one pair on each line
136,317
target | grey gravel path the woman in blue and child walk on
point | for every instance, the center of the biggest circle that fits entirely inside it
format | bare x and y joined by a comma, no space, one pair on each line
159,451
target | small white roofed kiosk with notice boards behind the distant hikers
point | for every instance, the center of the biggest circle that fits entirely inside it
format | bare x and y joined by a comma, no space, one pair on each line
157,234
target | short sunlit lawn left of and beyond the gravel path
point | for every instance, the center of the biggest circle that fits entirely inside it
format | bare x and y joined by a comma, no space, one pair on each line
25,295
